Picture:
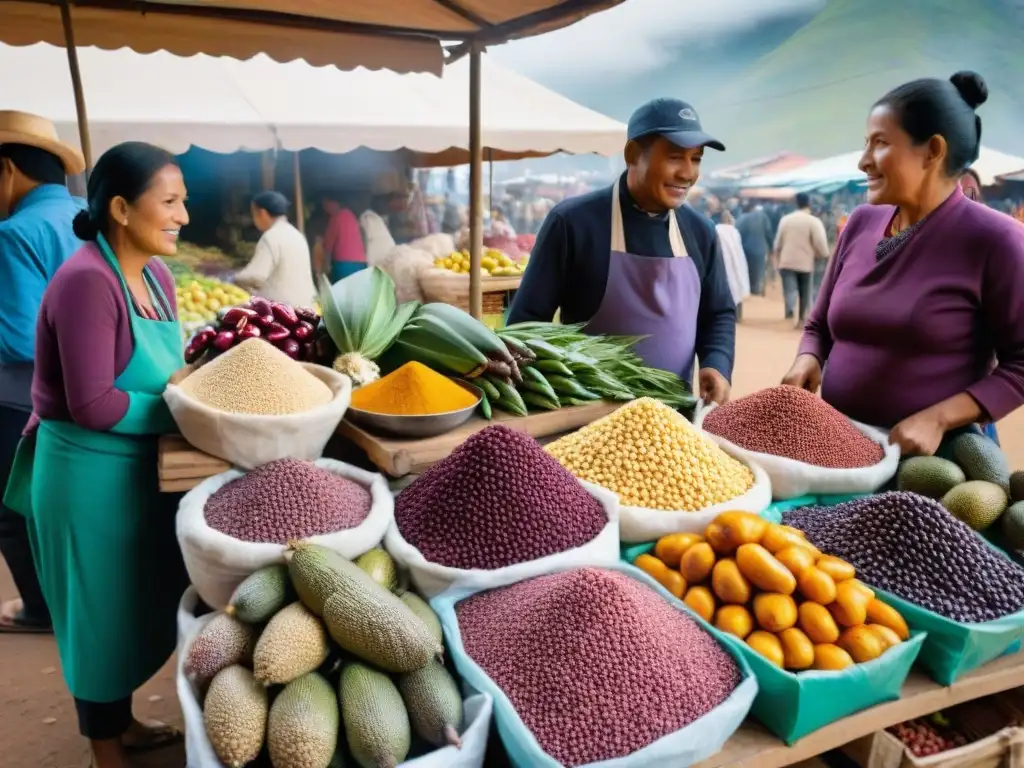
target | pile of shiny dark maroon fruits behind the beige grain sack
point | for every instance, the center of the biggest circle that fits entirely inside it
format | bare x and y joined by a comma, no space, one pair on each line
291,330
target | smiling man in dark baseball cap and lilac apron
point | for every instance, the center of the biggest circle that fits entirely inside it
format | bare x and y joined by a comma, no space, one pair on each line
635,260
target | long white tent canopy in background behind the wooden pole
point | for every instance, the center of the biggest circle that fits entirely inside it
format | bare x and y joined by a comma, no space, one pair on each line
225,105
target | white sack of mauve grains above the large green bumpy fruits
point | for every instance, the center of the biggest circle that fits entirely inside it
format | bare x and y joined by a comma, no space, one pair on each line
234,524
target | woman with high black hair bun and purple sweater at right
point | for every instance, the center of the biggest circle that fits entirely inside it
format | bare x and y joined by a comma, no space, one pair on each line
920,323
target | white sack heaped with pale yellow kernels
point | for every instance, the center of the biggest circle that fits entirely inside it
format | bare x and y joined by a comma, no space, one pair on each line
669,477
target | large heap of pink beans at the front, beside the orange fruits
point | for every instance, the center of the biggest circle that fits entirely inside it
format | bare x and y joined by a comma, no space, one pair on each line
596,664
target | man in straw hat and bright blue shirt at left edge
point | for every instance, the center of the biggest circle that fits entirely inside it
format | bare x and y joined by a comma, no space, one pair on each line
36,238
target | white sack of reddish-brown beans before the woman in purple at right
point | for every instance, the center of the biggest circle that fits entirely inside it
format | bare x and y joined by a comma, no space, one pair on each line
806,447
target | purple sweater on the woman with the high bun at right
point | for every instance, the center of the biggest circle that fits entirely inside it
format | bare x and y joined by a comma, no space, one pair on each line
928,322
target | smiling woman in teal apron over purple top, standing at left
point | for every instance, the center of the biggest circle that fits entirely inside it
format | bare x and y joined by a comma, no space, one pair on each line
87,477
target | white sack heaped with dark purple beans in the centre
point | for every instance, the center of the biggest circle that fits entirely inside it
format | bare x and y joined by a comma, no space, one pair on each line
497,510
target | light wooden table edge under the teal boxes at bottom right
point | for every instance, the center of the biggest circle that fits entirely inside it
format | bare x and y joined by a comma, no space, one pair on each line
753,747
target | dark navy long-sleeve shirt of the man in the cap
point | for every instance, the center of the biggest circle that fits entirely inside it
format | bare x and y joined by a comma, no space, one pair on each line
569,268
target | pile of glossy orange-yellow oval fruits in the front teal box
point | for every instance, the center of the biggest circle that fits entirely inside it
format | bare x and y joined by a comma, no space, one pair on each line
767,585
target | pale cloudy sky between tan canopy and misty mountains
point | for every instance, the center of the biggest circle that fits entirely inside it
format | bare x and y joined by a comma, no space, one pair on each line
637,36
